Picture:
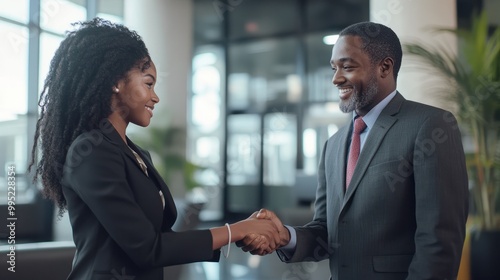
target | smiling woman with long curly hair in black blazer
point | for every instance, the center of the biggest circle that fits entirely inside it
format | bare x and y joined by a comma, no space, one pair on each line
100,80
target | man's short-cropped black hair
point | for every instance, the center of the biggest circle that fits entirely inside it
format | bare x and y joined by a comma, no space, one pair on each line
379,42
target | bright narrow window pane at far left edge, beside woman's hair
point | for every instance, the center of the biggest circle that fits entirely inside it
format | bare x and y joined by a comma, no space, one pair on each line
13,104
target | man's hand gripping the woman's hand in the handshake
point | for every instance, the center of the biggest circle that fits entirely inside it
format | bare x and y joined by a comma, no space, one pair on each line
259,245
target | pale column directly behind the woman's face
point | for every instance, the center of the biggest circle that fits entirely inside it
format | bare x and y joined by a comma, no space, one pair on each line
166,27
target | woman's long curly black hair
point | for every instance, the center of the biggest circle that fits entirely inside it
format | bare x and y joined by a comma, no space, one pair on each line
77,92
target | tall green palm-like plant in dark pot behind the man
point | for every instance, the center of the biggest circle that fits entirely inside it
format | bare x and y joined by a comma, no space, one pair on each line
474,86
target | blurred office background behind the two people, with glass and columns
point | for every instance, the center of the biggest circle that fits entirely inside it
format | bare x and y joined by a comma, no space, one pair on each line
247,83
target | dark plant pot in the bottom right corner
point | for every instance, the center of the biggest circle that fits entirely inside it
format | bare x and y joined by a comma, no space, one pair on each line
485,254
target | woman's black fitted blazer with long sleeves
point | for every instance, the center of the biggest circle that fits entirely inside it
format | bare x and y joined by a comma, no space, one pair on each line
120,228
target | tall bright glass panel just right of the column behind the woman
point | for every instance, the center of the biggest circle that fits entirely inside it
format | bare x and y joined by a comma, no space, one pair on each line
205,125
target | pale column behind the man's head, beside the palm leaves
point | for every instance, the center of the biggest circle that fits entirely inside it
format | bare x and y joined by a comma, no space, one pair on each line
414,21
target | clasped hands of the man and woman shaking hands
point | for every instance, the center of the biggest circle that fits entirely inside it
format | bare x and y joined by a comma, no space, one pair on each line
266,233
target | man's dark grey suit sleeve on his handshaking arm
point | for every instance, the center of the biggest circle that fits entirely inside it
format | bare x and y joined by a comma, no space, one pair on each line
312,238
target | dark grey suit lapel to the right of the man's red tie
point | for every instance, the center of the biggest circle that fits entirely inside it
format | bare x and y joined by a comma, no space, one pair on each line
384,122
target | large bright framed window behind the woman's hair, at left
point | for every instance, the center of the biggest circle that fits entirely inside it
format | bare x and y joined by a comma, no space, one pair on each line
26,51
